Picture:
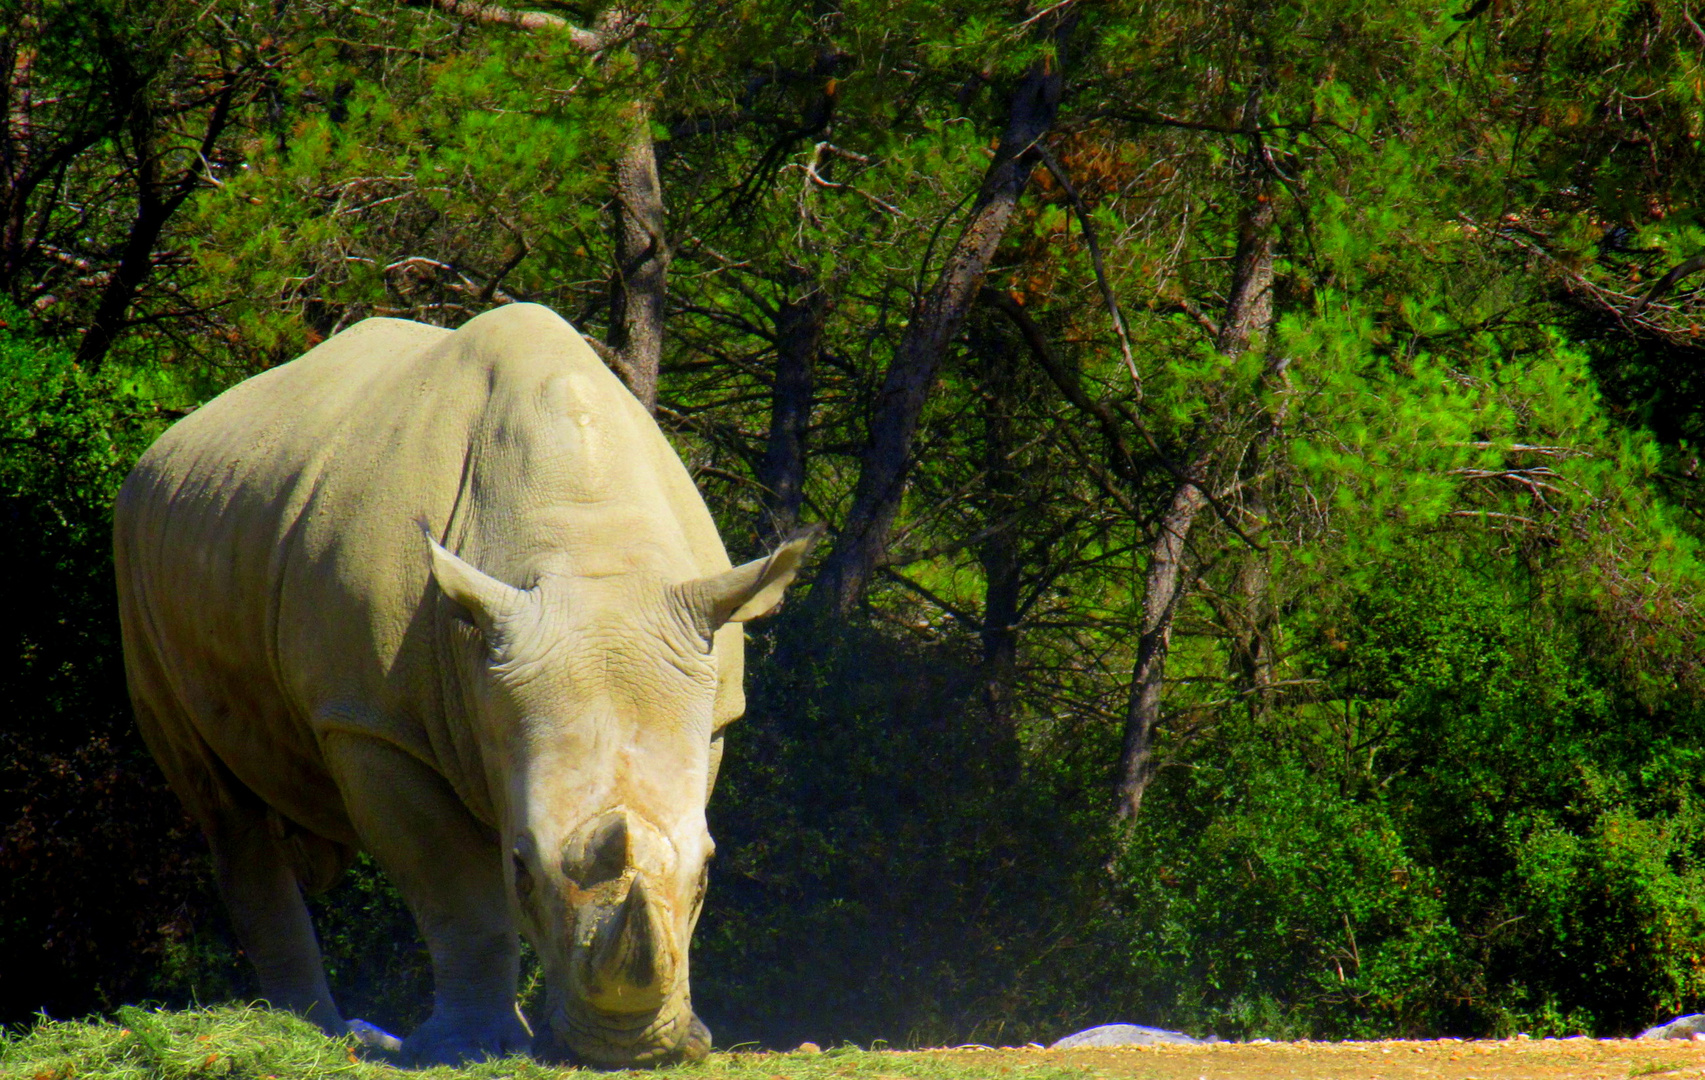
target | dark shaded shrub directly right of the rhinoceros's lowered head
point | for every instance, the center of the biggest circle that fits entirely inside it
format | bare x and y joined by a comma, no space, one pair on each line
884,873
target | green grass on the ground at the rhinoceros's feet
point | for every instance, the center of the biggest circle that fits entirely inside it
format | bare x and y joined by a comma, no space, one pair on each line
253,1043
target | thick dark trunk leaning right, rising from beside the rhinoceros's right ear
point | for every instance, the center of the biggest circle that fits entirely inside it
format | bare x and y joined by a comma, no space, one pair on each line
935,322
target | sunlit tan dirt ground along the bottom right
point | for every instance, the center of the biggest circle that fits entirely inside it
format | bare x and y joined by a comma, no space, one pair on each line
1445,1060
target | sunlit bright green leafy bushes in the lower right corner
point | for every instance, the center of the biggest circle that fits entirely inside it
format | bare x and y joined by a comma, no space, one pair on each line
1476,830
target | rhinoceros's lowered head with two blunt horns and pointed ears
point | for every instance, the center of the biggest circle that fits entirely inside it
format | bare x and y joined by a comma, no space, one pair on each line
601,694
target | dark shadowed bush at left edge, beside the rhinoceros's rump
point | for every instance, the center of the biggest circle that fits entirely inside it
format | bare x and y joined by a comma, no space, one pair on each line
96,864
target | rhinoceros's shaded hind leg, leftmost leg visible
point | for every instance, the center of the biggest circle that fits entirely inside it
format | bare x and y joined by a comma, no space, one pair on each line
270,919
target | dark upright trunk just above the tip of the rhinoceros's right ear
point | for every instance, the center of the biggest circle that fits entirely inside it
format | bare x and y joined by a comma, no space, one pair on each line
799,334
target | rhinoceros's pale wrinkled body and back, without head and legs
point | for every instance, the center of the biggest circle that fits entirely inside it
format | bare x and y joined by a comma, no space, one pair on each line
274,579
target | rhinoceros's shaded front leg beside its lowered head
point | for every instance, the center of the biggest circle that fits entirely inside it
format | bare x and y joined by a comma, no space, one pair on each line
451,873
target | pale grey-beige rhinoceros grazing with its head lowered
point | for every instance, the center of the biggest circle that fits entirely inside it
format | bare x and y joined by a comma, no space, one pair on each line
448,598
